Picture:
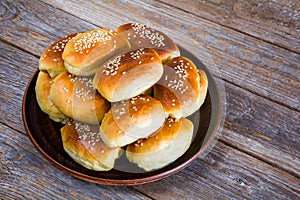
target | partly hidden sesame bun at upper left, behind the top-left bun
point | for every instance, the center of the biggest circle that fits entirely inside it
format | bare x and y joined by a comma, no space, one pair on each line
51,60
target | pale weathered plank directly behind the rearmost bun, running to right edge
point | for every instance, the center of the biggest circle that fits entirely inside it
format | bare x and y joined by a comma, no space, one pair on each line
258,66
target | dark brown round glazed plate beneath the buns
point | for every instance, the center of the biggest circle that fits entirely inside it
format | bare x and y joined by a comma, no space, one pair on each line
45,136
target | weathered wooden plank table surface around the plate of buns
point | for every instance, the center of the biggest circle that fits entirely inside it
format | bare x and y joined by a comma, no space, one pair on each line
252,47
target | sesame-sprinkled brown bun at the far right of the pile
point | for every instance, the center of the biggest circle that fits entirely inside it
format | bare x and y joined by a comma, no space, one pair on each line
179,88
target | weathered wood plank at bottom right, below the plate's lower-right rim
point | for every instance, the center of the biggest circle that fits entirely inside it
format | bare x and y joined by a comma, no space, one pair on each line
234,175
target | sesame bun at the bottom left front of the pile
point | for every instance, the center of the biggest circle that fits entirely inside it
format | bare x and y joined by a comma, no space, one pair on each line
83,144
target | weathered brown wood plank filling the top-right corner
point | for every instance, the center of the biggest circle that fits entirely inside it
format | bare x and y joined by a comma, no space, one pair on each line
277,22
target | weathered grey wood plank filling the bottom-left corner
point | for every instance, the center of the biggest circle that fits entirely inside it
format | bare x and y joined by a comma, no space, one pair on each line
25,174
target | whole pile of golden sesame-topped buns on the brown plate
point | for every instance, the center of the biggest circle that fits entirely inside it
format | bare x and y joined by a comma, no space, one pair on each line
128,89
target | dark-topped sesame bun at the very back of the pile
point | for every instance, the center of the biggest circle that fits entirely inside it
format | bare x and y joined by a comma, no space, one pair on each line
142,36
